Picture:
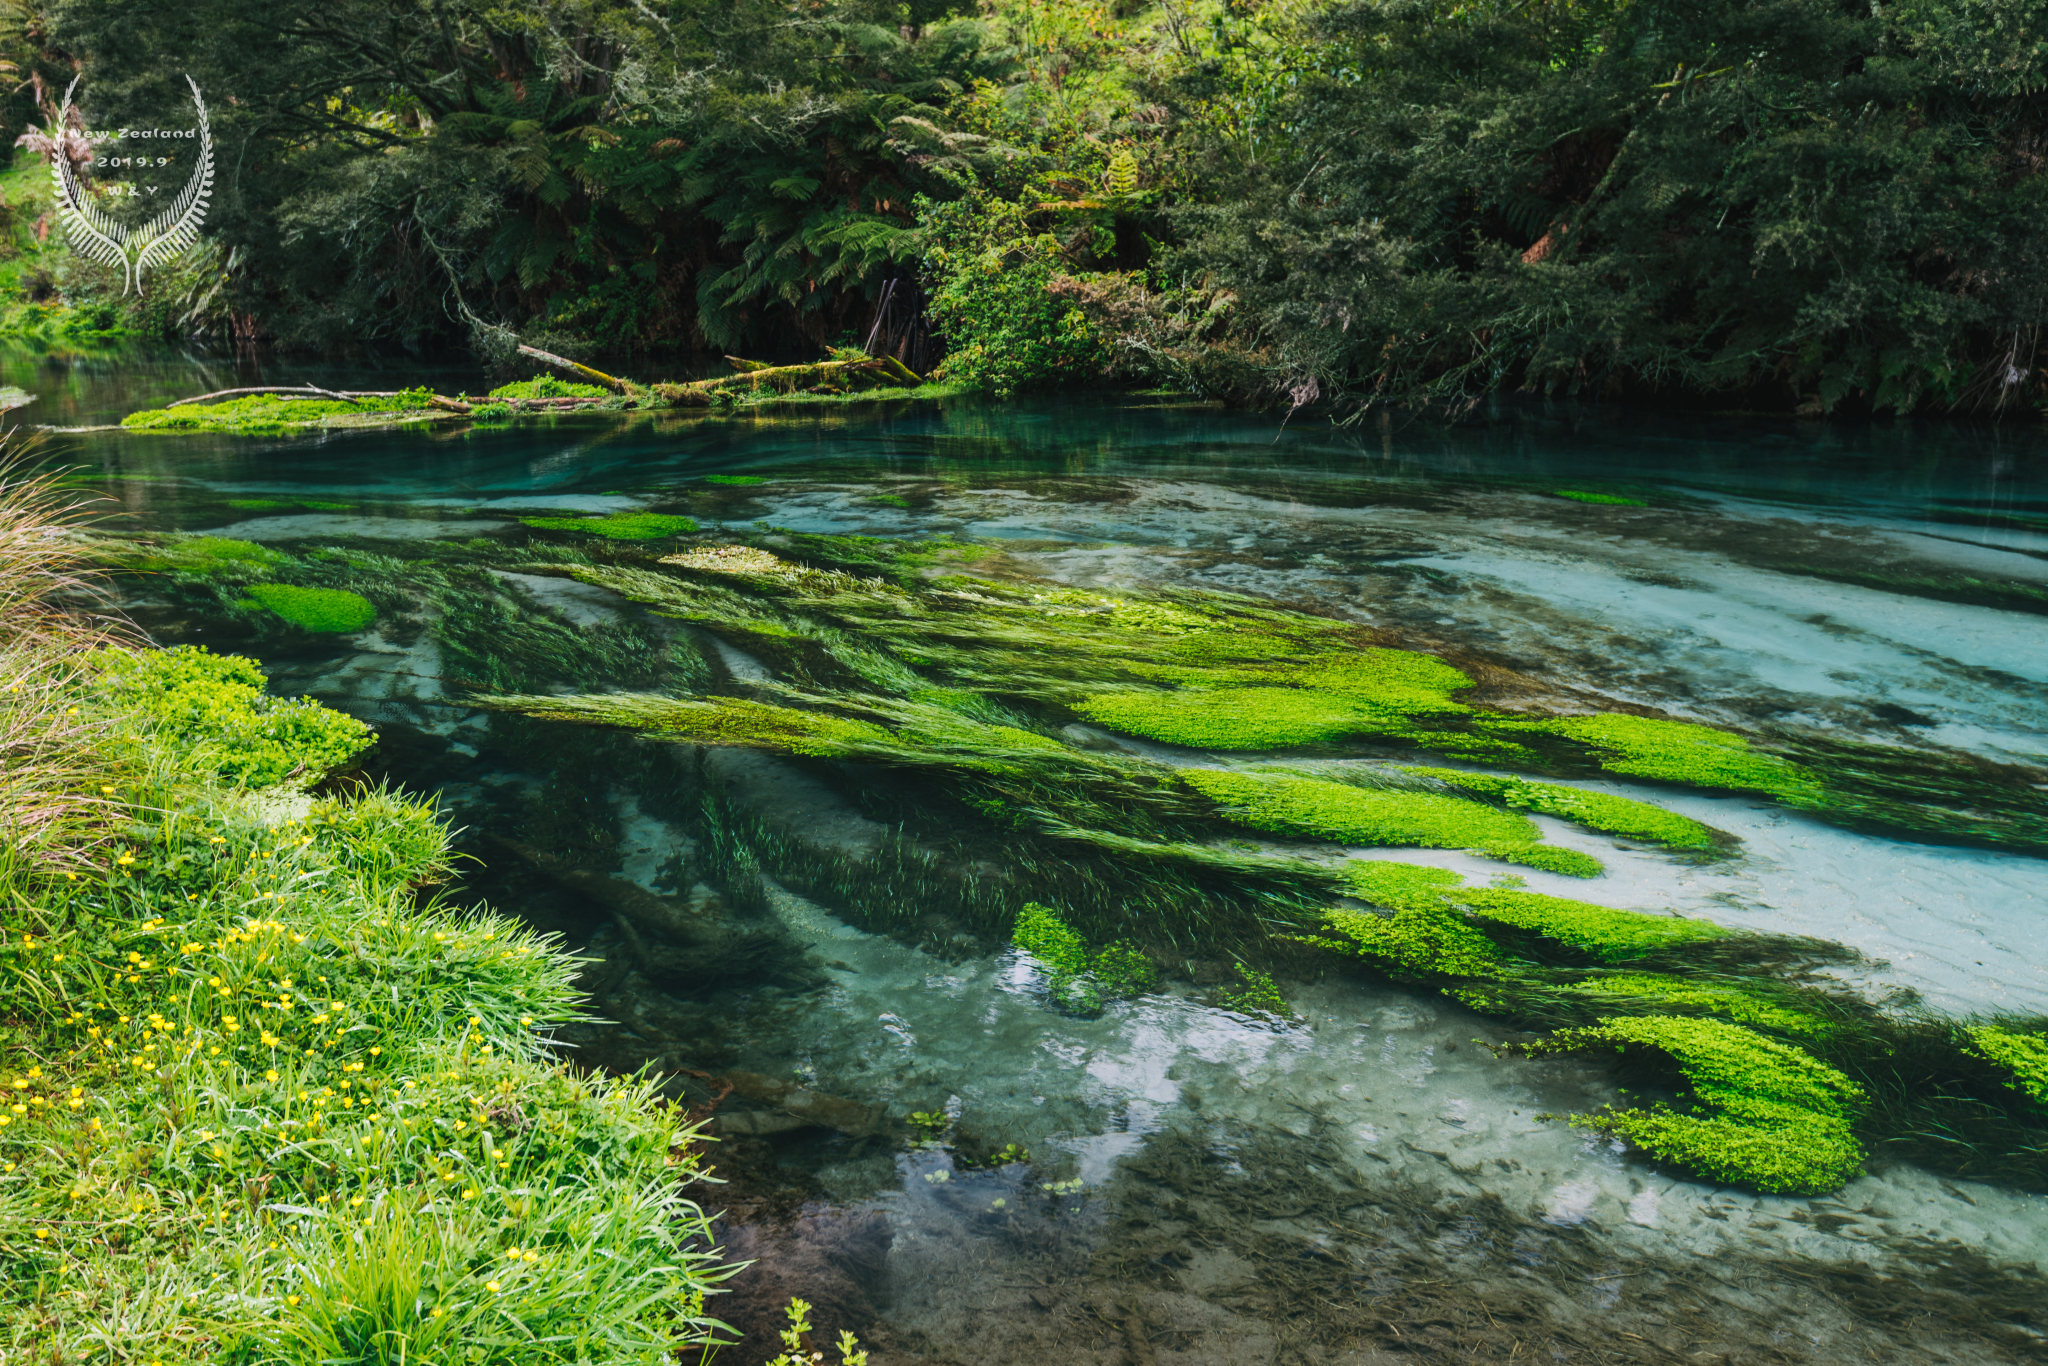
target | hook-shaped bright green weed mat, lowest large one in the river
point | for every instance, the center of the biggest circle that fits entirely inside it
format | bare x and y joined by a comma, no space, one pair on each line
1760,1113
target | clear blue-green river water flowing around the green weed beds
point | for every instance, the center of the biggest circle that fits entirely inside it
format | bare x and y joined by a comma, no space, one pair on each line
1367,1185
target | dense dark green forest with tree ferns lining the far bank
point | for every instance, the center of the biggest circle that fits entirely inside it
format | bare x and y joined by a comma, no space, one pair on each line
1777,206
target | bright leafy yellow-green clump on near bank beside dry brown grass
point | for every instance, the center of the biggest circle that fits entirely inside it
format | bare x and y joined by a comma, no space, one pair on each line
214,712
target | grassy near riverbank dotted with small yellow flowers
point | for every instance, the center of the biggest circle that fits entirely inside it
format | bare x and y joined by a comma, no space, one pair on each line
265,1097
